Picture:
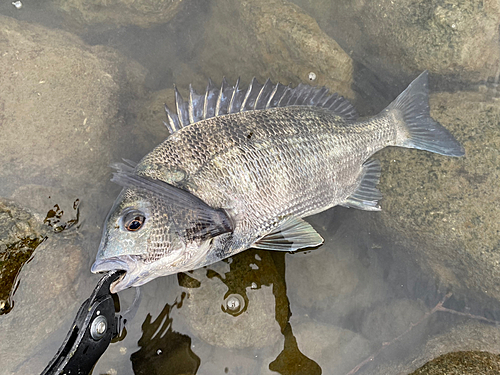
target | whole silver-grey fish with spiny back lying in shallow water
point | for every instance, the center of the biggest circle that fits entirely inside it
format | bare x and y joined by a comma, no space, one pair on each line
243,168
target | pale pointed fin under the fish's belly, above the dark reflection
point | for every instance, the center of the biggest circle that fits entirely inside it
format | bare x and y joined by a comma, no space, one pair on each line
293,234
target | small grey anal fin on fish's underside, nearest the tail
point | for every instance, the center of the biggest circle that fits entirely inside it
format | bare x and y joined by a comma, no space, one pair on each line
366,195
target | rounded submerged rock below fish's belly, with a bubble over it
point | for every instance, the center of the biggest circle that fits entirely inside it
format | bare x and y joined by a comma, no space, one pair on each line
235,305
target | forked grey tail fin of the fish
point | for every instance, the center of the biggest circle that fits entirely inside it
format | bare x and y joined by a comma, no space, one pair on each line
422,132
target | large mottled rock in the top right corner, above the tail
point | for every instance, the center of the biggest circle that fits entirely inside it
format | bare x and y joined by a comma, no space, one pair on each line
458,38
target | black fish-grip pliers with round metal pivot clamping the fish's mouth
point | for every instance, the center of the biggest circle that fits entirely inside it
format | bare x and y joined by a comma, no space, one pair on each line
95,325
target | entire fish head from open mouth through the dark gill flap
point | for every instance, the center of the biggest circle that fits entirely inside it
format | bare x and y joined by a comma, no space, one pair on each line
155,229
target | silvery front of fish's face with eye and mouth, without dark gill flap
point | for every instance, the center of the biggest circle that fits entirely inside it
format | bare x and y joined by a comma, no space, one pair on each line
137,233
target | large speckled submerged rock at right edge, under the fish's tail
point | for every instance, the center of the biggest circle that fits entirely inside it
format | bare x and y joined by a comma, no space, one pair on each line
445,210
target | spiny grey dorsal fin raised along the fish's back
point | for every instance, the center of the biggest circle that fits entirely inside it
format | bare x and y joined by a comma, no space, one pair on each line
219,101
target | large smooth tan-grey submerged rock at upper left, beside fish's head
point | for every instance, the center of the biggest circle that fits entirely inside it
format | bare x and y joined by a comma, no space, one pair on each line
61,107
